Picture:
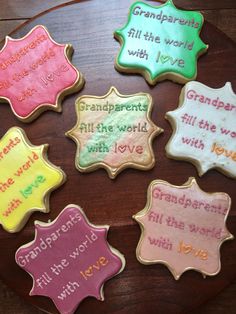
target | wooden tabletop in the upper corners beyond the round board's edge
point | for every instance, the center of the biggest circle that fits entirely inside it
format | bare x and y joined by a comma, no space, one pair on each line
222,17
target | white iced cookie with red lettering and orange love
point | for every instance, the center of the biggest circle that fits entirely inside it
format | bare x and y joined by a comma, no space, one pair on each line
204,129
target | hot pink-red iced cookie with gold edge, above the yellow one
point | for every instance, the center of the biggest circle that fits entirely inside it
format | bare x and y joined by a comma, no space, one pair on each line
35,74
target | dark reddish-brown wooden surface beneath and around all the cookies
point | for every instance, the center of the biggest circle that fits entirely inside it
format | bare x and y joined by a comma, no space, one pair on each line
88,26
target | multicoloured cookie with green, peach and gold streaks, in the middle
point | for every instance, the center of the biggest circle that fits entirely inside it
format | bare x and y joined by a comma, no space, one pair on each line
114,131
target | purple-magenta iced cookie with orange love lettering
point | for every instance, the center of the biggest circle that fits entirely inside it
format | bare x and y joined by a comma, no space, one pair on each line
79,259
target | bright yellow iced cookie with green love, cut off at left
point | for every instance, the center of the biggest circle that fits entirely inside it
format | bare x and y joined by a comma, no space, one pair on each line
27,178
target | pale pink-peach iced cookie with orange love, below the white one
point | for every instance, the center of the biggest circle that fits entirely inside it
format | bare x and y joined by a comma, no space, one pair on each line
183,227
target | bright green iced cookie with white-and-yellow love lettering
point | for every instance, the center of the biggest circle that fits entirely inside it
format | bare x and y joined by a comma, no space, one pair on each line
160,42
